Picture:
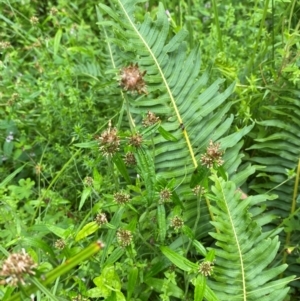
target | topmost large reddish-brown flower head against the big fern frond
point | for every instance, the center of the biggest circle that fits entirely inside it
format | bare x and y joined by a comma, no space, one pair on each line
132,79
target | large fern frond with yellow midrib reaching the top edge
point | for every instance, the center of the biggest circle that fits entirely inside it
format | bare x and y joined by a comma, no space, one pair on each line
190,109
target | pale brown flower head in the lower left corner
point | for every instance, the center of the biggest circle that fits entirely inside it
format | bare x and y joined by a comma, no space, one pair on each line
16,266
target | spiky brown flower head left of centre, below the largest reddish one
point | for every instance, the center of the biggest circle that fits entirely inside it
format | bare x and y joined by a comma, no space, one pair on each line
109,141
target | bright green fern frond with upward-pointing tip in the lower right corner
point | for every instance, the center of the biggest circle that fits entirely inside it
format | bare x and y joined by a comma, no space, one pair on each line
243,254
